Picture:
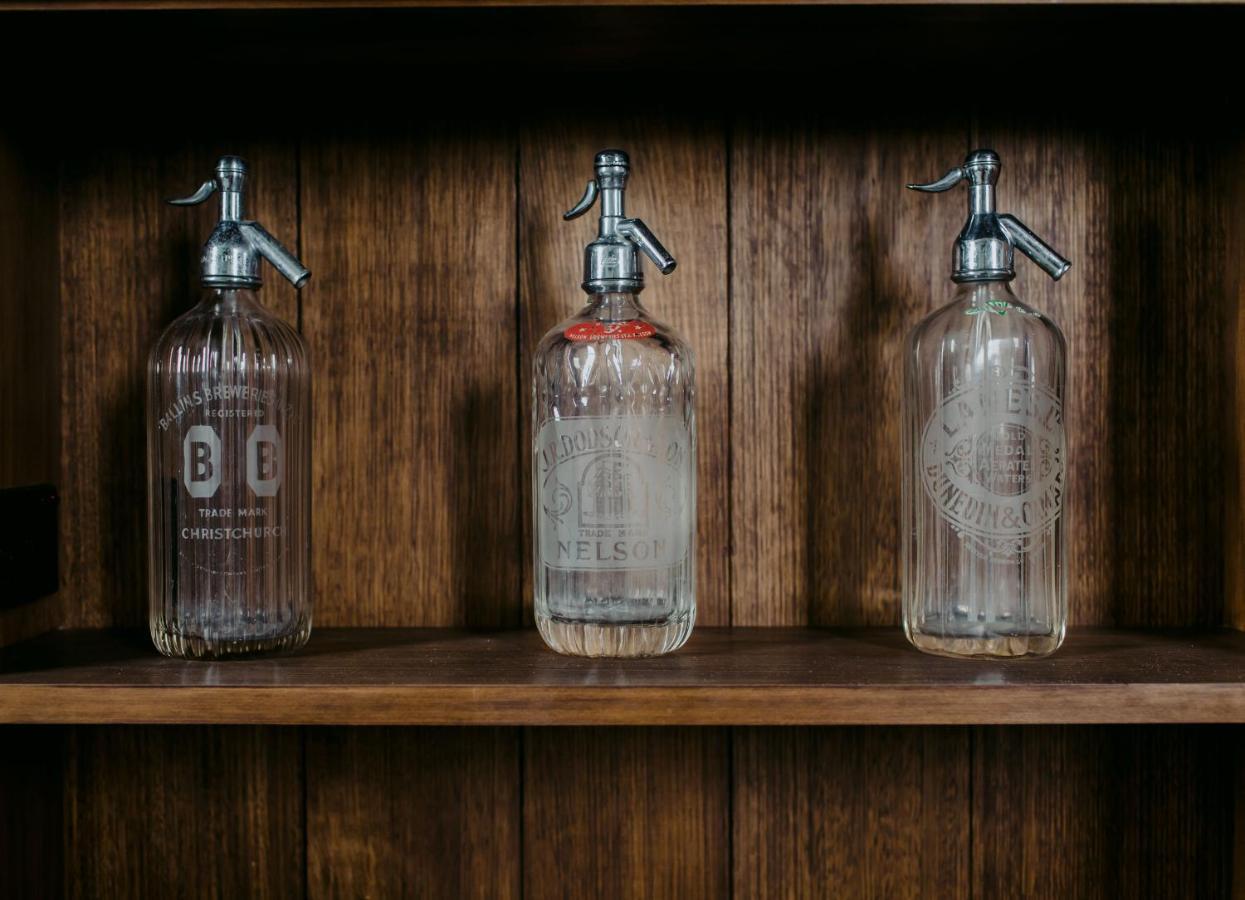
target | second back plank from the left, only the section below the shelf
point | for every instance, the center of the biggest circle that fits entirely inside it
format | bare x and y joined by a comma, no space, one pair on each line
413,813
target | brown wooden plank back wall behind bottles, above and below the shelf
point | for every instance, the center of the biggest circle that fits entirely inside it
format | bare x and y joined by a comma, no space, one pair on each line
440,260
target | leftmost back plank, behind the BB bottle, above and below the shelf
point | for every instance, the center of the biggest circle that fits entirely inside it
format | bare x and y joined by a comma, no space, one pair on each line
154,813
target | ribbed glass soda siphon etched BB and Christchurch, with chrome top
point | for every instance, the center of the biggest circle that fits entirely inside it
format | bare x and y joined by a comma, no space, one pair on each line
230,451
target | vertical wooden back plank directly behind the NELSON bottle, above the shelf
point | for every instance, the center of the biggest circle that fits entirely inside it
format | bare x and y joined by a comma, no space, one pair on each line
678,187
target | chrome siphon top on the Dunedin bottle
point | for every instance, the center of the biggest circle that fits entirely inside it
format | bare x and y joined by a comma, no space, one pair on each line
984,252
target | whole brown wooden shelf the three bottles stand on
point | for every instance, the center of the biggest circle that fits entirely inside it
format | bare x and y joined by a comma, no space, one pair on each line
744,677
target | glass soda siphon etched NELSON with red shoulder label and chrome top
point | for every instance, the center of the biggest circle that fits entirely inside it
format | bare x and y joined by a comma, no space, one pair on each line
614,457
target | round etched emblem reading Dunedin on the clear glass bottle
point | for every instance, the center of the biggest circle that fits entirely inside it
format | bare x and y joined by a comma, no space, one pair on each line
993,461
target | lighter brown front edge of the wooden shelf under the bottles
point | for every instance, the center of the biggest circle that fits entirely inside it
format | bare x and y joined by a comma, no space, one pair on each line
1153,704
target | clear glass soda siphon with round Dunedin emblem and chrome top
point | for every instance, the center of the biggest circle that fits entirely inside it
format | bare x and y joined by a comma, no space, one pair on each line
984,450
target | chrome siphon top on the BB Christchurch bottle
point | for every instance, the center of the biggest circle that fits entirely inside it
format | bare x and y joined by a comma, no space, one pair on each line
231,258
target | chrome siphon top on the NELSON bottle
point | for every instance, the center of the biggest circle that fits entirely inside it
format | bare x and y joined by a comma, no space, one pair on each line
611,262
